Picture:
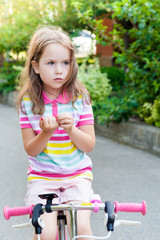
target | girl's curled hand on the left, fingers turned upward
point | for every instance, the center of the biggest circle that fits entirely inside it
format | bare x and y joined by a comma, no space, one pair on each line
48,124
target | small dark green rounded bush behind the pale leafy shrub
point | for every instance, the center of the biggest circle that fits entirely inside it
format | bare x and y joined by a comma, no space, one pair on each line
116,75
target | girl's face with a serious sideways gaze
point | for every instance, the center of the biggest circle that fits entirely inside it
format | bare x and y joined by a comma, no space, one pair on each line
53,67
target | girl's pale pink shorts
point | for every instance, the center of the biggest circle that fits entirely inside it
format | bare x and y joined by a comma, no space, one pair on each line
77,189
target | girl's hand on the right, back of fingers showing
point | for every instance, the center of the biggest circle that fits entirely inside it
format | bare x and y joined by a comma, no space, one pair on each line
65,121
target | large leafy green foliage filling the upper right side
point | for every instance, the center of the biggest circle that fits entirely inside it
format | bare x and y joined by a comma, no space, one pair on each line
136,39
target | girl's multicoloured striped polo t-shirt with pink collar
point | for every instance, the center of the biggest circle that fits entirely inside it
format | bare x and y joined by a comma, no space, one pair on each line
61,158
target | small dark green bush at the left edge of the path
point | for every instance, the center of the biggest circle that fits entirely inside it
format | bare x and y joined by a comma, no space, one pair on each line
9,76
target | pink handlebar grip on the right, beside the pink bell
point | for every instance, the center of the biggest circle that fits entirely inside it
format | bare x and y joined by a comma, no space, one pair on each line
130,207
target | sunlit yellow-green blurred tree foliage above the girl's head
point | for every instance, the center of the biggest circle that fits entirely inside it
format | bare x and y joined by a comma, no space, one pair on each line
21,17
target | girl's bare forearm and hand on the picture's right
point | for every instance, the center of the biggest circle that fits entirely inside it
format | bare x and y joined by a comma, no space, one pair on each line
83,137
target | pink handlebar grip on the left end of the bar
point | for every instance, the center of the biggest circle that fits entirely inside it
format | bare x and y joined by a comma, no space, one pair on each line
19,211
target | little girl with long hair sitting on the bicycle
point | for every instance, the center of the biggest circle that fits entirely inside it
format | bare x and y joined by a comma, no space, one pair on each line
56,121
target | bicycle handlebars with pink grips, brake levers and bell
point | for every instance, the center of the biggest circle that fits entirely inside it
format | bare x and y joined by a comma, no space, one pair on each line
110,208
